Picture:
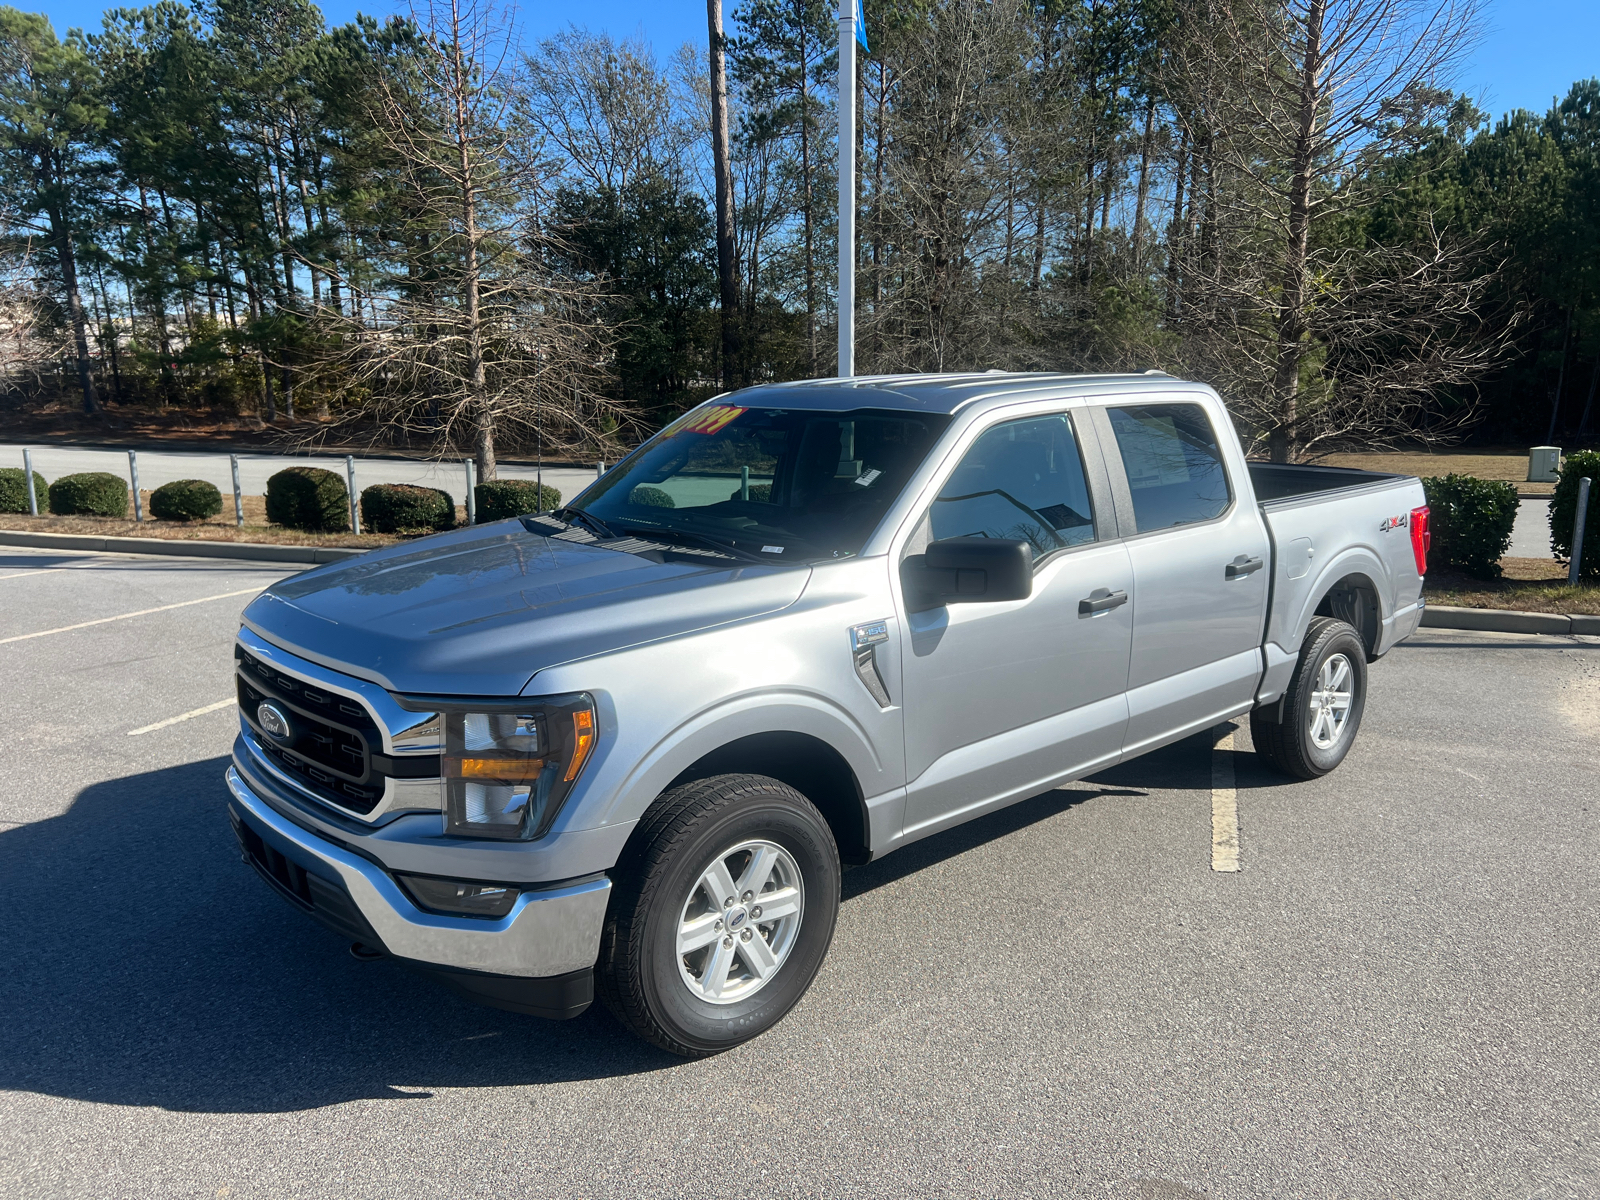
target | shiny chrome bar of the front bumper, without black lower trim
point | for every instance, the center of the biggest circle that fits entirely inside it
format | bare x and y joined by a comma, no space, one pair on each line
546,934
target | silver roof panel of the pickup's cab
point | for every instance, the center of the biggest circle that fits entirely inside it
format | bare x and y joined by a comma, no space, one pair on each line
945,393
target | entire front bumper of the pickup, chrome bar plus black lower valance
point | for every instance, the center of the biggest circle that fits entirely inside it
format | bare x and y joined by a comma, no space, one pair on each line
538,959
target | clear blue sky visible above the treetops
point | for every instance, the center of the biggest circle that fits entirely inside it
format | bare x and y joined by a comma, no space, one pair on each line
1534,50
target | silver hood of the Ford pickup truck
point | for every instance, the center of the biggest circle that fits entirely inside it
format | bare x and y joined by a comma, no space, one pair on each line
479,612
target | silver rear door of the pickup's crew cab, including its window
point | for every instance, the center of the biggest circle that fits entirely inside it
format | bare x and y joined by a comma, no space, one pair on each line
1201,567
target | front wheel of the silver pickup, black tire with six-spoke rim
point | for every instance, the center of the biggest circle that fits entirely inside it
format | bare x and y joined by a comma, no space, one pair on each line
721,914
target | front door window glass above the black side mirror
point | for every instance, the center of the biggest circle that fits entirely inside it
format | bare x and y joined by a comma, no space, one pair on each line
1022,479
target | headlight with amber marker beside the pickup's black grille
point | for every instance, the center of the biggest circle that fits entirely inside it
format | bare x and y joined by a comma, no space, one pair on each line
510,767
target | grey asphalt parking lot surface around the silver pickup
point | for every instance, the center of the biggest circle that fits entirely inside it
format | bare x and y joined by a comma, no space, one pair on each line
1398,996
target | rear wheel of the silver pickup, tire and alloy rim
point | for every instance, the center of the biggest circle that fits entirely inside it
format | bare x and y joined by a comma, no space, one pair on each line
1322,708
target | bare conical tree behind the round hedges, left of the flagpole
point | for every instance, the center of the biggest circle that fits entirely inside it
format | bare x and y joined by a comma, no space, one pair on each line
473,337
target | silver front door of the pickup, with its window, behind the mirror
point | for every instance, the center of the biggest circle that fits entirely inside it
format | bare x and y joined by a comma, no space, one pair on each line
1002,700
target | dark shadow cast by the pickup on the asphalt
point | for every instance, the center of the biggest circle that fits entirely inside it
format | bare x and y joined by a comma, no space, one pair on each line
146,966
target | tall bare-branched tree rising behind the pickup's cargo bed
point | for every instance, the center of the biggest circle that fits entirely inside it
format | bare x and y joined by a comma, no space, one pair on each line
1292,108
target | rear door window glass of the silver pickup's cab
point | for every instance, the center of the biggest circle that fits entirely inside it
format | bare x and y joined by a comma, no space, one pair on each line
1174,463
